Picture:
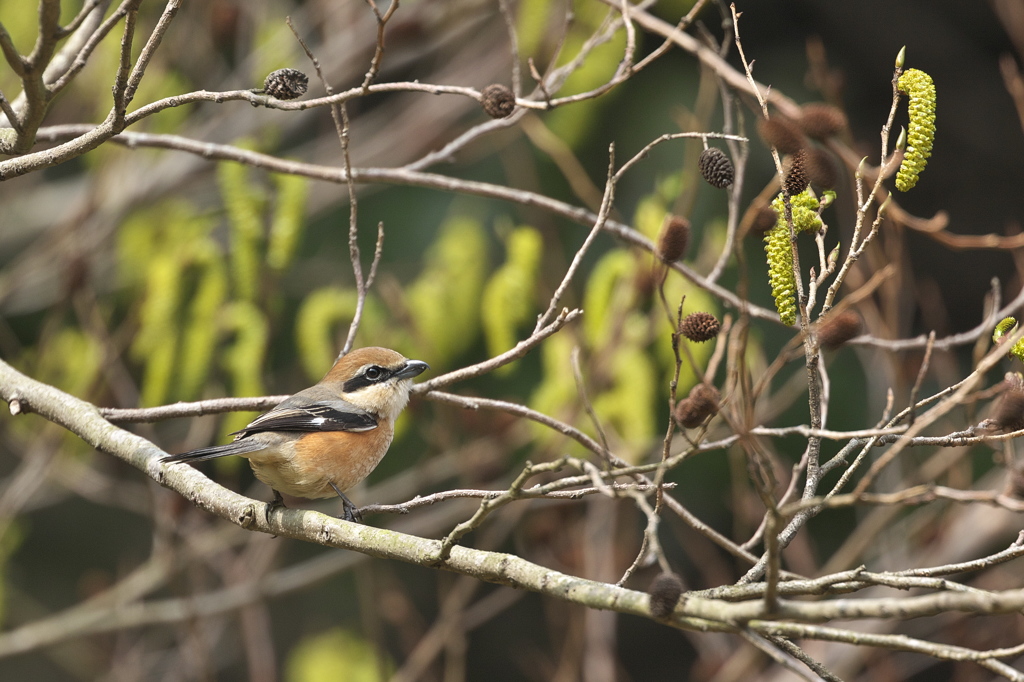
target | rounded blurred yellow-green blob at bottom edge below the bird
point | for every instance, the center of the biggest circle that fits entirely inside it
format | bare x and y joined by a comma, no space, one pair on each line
335,656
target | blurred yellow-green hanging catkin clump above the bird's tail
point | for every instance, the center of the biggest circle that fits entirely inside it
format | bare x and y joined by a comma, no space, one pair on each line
195,297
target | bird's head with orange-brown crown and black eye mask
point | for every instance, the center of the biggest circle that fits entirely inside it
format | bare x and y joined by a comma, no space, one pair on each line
375,379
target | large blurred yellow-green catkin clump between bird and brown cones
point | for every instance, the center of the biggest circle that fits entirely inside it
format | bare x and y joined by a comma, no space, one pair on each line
627,334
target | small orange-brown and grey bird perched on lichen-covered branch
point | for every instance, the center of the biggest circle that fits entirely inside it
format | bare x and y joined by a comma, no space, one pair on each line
325,440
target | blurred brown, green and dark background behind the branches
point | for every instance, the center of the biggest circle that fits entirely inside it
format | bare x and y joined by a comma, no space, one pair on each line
142,277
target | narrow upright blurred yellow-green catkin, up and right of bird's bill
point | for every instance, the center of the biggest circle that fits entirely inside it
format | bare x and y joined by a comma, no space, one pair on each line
508,299
